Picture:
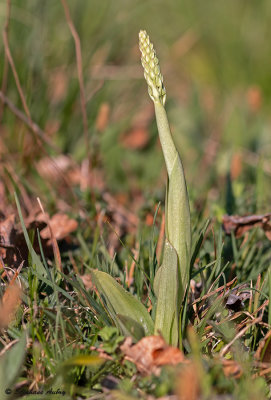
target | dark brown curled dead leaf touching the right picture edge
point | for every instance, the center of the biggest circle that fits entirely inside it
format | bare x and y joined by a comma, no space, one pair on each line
240,225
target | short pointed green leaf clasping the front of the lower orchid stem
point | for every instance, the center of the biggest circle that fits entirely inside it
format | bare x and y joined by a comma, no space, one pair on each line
166,289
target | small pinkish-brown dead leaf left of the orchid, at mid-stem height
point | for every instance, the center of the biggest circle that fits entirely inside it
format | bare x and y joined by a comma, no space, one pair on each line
61,226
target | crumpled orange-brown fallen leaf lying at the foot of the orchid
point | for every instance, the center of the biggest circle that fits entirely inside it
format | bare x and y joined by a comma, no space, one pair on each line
150,353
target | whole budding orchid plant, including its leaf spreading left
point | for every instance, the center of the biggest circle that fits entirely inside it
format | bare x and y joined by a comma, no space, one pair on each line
172,277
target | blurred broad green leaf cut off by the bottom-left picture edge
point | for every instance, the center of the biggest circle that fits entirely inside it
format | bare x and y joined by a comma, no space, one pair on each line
11,363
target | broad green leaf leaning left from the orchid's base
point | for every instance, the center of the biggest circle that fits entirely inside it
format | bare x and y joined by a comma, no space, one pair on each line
119,301
